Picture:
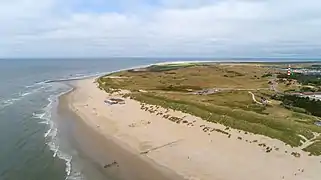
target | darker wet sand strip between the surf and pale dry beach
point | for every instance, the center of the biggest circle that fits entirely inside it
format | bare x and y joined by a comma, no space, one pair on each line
107,150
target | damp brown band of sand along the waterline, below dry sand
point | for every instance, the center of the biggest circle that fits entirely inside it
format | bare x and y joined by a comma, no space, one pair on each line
101,152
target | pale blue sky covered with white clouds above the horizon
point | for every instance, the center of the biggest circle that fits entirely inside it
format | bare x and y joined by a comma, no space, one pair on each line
160,28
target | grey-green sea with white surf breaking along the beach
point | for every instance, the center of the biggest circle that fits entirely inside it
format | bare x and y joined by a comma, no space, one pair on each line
33,145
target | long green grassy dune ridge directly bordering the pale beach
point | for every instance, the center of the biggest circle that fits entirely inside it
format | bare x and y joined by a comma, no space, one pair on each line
285,130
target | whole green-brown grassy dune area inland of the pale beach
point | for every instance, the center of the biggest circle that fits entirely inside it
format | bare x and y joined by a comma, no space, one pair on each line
231,104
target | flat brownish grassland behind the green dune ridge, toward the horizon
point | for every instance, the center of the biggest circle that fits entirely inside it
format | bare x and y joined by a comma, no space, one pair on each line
199,77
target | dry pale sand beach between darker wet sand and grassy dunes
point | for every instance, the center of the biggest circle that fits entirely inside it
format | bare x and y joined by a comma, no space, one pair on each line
194,154
